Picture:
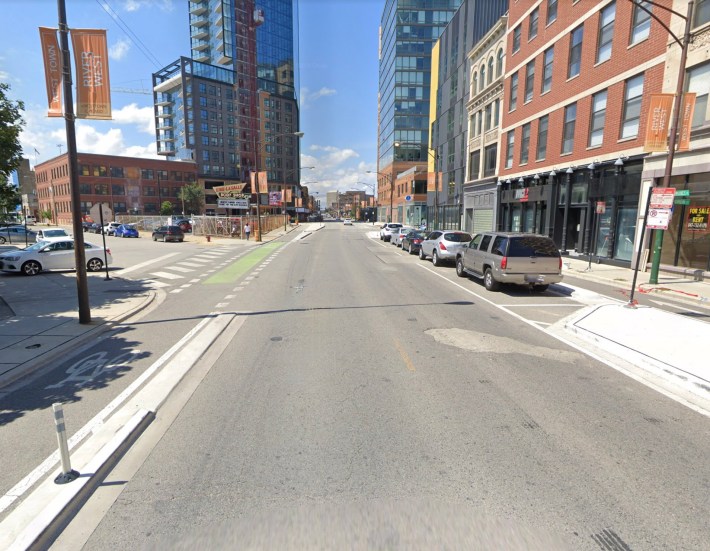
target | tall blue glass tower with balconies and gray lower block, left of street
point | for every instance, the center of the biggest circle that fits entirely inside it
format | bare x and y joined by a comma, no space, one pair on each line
232,105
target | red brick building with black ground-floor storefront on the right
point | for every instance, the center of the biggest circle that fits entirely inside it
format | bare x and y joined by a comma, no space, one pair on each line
578,80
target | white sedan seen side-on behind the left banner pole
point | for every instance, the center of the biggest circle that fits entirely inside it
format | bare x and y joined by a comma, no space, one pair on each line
54,255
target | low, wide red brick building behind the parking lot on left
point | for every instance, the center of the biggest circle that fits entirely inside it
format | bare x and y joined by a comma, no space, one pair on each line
128,185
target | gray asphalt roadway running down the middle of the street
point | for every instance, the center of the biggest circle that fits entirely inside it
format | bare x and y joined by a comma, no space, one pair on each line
366,401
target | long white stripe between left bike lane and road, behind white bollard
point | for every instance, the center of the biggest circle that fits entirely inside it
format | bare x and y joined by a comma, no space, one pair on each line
48,464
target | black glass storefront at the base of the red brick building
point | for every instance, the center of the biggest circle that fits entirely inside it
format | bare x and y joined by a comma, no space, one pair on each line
587,210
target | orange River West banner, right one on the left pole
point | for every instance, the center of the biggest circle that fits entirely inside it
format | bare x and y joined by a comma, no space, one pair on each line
93,90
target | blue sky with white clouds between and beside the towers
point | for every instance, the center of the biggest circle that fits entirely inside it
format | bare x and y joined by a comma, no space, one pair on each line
338,79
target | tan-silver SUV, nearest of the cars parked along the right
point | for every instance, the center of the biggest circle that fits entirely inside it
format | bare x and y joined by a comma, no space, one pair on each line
505,257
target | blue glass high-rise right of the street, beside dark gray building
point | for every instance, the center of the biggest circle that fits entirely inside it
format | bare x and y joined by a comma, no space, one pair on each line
408,30
